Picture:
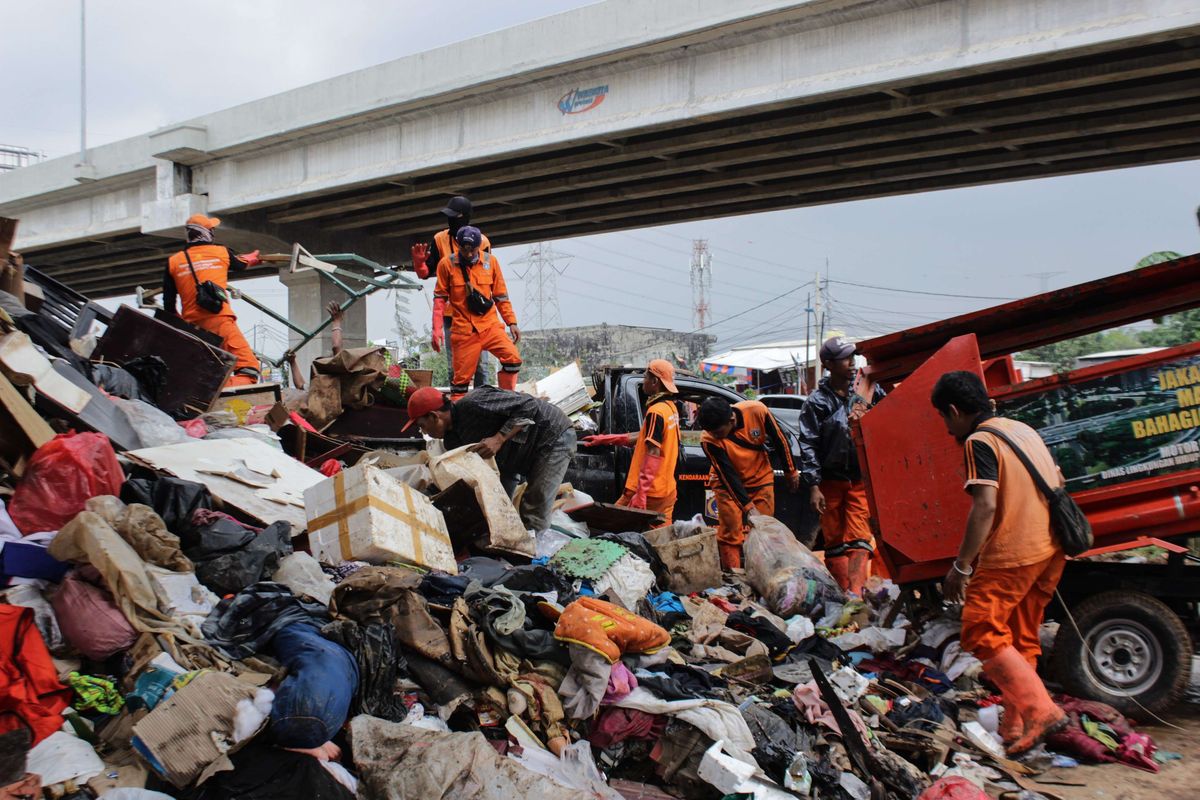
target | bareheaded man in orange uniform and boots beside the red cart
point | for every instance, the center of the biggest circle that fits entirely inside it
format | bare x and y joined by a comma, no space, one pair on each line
1017,561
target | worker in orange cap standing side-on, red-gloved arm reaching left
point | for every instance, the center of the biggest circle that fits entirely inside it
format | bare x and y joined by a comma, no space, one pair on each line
651,484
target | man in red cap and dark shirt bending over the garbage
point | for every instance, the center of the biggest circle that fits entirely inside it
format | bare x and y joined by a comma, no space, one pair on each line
529,437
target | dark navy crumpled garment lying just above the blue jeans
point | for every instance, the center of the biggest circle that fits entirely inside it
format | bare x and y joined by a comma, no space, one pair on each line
245,624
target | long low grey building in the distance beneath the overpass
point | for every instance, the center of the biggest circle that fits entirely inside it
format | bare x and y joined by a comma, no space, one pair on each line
598,346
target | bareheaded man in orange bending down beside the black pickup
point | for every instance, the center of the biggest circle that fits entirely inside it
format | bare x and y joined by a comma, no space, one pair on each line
740,441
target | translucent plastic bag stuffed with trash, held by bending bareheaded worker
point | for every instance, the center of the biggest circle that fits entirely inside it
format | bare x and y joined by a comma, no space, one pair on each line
785,574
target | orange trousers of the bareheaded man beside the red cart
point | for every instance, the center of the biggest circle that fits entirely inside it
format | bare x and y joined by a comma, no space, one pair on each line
1005,609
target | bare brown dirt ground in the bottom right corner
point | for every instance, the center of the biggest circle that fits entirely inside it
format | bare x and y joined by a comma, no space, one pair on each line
1178,780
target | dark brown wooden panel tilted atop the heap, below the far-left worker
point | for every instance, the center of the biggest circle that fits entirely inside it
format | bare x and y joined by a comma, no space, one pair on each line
196,371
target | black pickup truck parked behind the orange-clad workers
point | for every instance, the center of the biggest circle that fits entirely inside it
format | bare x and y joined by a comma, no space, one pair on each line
602,472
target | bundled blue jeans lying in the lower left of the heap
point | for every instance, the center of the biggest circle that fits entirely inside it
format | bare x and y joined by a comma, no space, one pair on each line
313,702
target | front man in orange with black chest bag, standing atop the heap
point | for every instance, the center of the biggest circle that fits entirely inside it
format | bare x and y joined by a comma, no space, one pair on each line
472,282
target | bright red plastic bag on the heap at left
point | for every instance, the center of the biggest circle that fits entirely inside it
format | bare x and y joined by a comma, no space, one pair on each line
63,476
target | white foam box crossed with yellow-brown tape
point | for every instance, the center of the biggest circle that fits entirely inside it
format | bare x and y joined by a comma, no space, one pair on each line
365,515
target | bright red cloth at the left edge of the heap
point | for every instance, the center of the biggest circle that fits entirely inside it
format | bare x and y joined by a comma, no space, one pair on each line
31,691
